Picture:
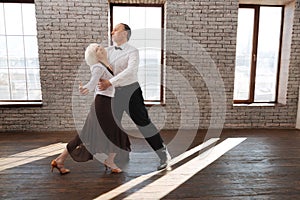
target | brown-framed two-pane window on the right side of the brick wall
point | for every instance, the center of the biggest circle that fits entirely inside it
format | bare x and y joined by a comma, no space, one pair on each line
258,53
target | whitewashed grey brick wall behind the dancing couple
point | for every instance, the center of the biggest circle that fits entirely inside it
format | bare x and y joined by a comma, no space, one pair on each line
65,29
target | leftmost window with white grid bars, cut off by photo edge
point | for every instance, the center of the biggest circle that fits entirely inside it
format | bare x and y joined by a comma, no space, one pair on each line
19,65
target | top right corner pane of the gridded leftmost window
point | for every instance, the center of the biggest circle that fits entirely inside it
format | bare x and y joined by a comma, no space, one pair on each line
29,20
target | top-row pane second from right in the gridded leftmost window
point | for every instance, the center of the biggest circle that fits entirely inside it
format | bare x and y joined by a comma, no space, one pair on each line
13,18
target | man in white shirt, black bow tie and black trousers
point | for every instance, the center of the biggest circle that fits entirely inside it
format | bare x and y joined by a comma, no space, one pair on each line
124,60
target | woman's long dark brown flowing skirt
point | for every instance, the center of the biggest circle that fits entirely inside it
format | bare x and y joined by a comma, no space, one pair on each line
100,133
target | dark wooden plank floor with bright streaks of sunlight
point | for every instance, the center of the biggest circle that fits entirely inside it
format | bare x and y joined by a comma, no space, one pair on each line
266,165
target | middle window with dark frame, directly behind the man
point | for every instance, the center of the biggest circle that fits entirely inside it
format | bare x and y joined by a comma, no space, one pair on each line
146,23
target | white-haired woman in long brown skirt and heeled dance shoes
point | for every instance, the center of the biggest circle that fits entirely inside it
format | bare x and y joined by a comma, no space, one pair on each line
100,132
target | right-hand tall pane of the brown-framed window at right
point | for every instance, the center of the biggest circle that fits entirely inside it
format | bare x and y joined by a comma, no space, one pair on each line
267,54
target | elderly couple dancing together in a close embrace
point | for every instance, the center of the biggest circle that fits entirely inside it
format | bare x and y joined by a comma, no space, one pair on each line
118,91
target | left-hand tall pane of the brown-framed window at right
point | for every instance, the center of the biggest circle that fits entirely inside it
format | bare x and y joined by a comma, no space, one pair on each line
243,54
